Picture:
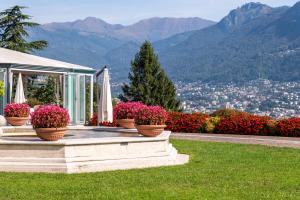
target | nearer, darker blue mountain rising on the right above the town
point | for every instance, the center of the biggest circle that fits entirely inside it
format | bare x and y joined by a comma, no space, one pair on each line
240,51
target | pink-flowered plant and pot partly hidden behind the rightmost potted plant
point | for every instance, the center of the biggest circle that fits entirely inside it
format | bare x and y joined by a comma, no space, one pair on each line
124,113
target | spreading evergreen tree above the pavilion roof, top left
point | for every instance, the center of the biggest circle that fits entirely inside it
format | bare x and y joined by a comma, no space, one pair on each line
13,24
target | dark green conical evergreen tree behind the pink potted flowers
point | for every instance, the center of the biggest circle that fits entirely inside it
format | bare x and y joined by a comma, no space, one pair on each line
148,82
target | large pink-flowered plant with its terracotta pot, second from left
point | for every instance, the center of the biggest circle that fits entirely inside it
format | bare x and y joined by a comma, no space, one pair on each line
50,122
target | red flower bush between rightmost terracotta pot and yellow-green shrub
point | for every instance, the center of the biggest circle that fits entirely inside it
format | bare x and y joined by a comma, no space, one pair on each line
185,123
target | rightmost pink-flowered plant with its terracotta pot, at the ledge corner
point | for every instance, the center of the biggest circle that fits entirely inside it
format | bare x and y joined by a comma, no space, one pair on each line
150,121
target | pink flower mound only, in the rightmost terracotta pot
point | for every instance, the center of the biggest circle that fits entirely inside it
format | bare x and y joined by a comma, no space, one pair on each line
151,115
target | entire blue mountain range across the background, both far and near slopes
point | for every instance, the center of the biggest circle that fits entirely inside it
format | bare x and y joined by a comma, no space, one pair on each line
252,41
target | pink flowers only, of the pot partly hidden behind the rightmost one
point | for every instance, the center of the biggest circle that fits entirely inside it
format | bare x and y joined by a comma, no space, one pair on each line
127,110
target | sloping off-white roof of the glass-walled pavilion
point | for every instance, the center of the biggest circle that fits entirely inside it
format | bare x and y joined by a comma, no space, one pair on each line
17,58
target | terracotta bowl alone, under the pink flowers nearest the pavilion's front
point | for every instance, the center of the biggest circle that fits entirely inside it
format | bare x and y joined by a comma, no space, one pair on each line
50,134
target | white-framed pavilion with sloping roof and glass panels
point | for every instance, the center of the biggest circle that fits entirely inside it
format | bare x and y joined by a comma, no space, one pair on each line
74,78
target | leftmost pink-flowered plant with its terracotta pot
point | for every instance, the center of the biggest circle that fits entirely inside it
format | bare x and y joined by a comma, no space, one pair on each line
17,114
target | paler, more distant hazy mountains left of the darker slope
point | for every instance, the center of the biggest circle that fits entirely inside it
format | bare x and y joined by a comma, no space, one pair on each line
94,42
